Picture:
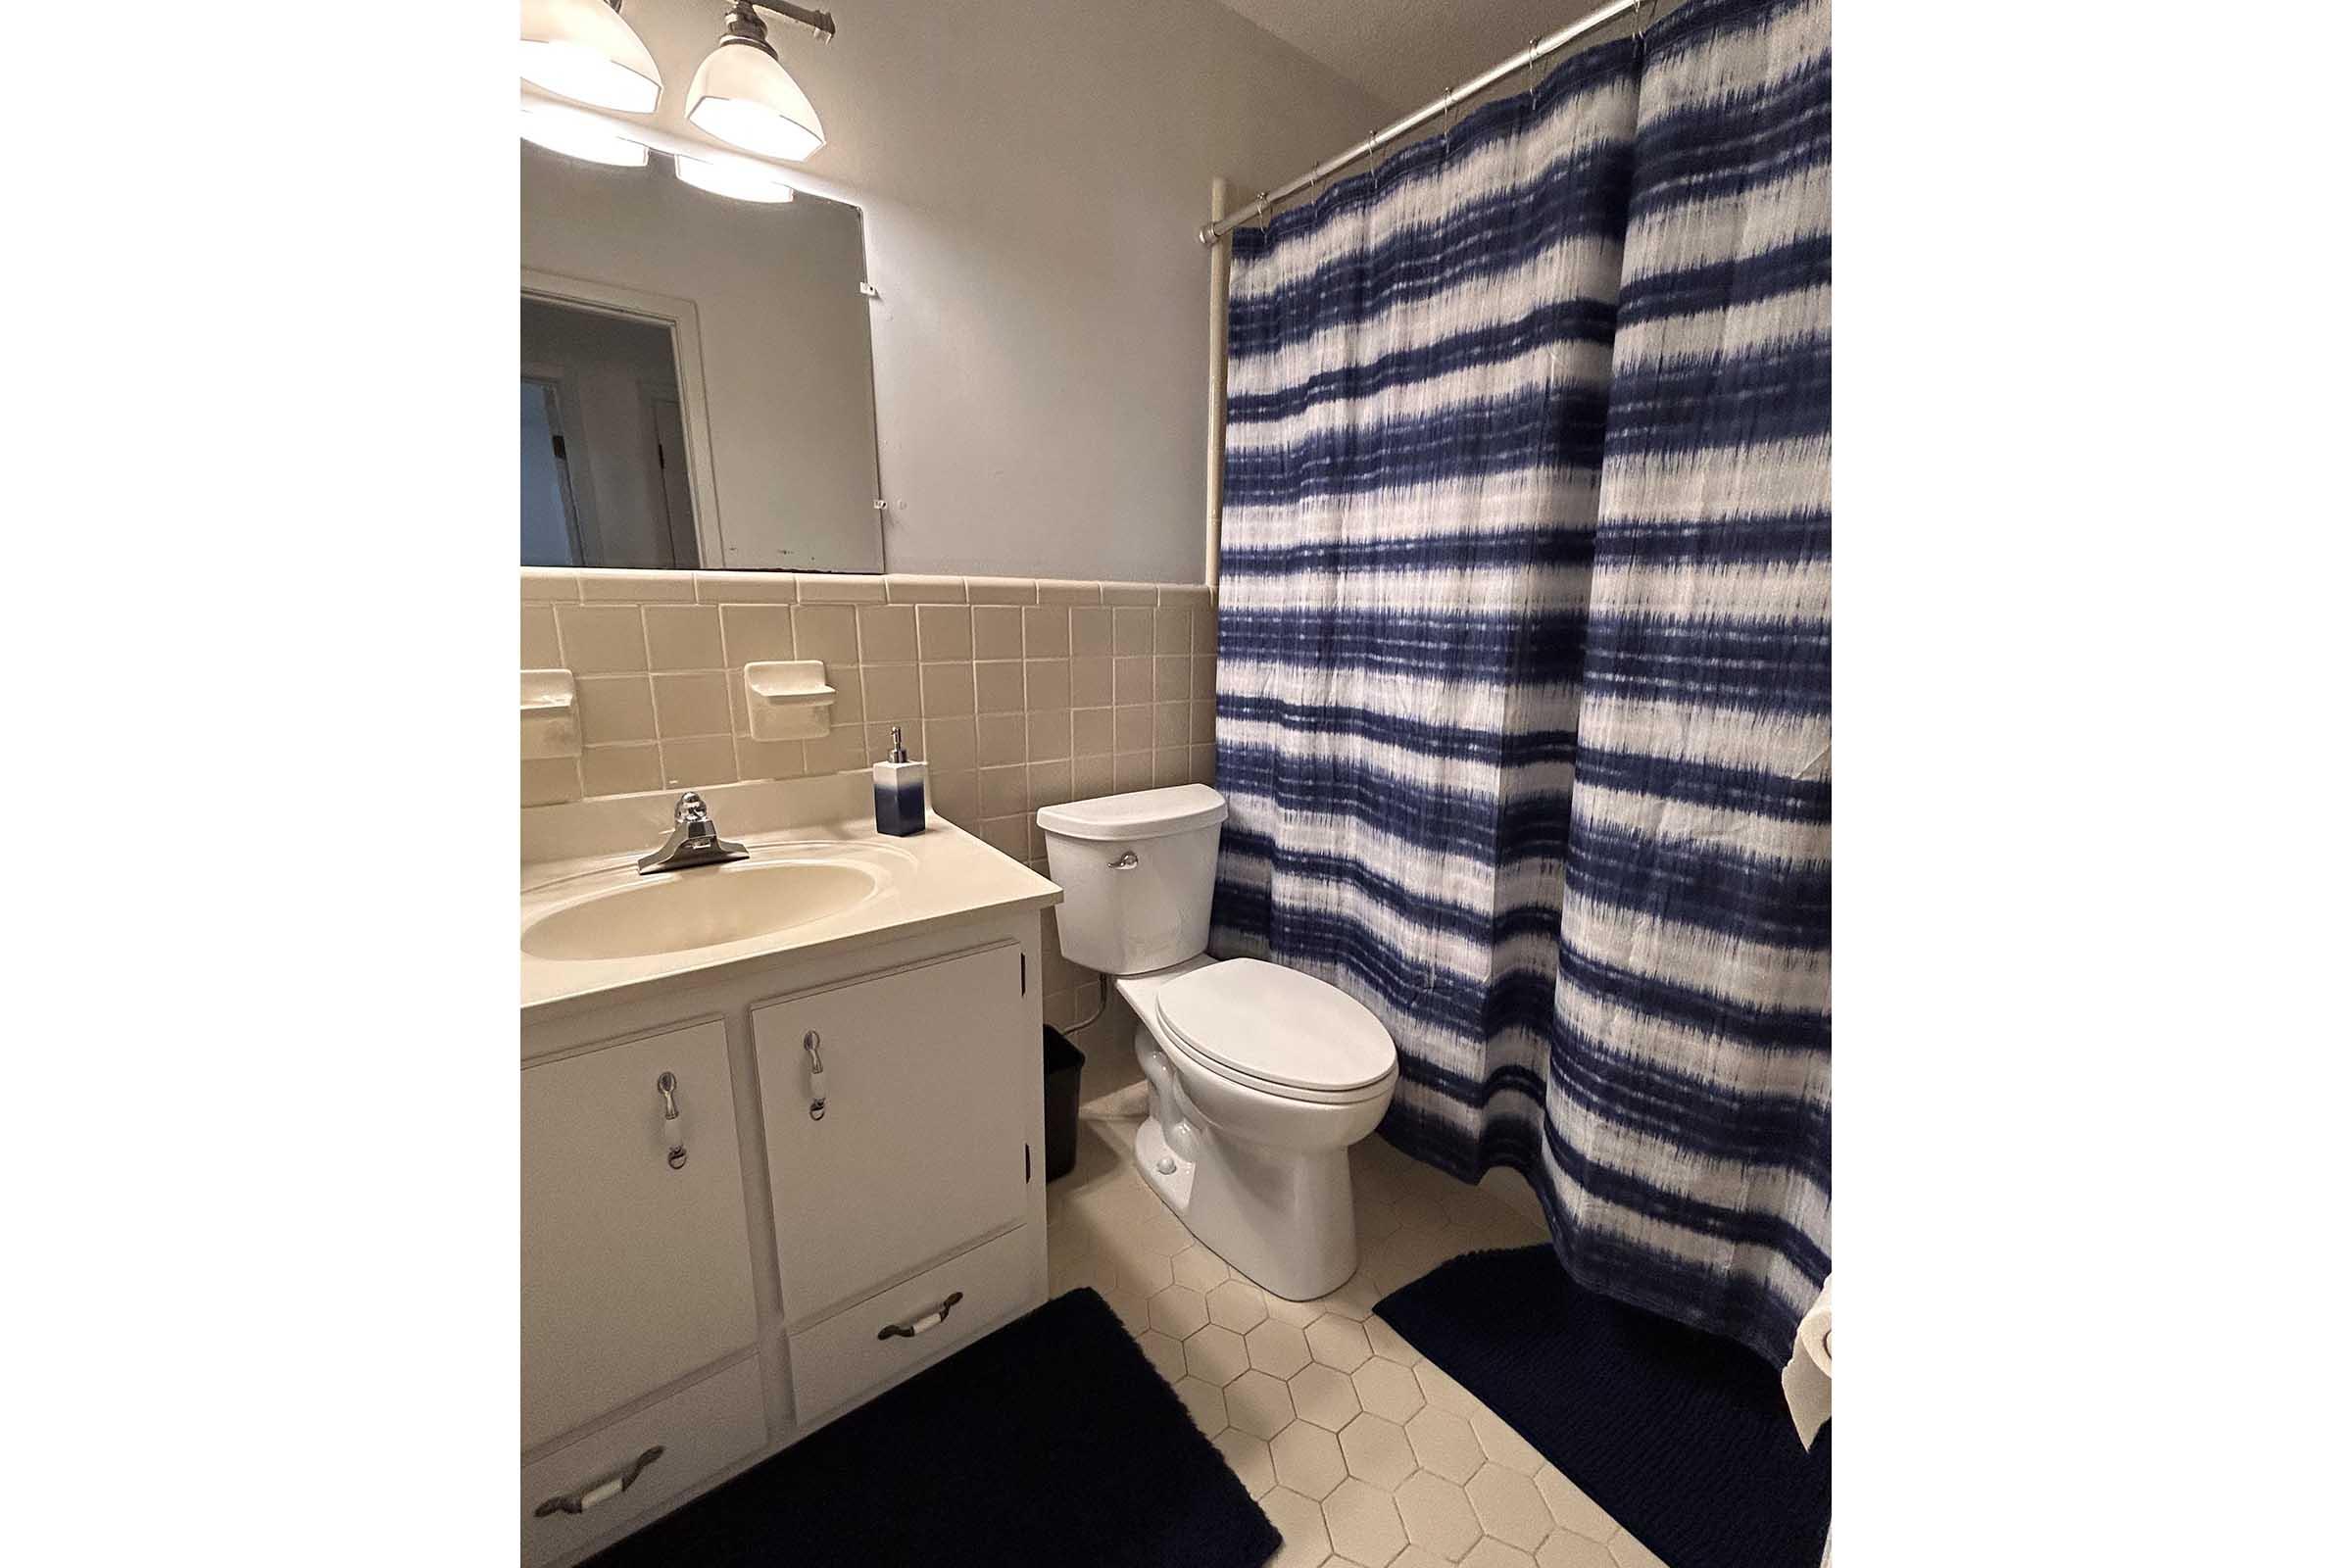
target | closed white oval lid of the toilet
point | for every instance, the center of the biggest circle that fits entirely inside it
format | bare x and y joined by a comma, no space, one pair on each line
1278,1026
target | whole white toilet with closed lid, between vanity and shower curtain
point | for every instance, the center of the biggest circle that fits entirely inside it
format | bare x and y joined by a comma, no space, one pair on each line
1259,1078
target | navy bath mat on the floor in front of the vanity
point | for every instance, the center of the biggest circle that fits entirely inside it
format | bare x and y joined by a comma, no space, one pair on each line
1053,1442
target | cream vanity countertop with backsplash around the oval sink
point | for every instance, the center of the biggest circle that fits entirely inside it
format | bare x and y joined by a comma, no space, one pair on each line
587,850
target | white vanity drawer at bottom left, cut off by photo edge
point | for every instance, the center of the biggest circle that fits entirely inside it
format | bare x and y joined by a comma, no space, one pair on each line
700,1430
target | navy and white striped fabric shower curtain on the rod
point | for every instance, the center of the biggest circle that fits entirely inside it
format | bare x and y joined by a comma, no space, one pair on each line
1523,645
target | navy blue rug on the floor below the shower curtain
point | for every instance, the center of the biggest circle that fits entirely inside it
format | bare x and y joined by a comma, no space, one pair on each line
1681,1435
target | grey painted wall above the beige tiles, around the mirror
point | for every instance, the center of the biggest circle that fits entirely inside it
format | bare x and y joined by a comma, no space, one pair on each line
1031,177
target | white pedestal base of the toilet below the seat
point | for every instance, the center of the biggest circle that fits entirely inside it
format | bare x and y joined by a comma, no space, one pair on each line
1285,1221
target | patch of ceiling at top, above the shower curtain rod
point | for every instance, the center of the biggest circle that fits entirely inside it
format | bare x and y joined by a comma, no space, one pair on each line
1405,53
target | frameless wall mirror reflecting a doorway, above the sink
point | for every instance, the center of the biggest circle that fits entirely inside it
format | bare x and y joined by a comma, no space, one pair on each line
697,375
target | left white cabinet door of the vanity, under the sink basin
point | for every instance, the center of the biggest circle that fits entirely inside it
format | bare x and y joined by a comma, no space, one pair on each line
634,1271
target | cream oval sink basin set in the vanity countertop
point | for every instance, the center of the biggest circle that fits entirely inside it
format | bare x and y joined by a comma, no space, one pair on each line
702,909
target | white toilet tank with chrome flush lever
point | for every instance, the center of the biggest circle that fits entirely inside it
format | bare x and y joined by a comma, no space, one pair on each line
1137,873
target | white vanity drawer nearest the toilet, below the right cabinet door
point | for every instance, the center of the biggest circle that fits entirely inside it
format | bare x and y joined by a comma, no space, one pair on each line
848,1355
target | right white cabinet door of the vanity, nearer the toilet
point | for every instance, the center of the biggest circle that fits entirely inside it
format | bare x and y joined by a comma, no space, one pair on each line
933,1083
